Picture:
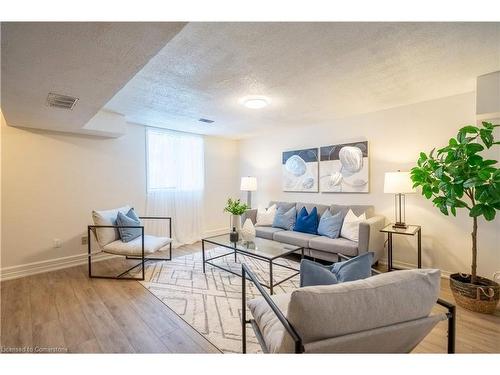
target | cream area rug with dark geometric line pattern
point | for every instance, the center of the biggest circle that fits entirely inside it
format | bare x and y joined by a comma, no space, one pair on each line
211,302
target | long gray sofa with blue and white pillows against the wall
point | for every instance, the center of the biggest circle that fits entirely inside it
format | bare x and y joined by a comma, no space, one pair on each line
320,247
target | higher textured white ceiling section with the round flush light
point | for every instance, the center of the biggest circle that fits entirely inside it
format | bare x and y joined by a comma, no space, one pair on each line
312,72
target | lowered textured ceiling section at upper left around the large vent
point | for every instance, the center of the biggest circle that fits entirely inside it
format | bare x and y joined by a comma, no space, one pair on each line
89,60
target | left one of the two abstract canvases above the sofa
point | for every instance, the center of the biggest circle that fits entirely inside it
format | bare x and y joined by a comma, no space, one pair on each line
300,170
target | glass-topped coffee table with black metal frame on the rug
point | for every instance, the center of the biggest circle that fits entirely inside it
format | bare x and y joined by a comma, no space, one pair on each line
260,248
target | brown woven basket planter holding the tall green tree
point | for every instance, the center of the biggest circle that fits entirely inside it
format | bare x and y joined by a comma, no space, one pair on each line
480,297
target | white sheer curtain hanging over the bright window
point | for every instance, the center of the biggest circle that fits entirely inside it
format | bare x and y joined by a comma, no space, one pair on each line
175,178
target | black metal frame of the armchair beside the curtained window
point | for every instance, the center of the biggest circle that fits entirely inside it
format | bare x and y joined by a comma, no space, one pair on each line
143,259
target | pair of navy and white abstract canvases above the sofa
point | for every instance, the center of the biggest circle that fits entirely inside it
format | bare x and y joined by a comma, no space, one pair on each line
341,168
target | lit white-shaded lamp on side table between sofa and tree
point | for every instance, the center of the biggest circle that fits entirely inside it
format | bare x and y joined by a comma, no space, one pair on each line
398,183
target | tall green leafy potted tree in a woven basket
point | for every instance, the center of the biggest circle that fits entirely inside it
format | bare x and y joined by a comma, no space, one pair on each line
460,176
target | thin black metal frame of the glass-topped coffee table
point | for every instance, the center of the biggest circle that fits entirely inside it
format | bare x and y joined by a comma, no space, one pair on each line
235,252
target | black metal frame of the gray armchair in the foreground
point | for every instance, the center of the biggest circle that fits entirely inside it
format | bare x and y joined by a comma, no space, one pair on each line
247,274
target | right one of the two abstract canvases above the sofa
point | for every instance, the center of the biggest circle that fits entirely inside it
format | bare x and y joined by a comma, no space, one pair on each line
344,168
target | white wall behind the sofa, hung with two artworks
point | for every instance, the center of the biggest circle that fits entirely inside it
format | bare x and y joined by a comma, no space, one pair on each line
395,136
